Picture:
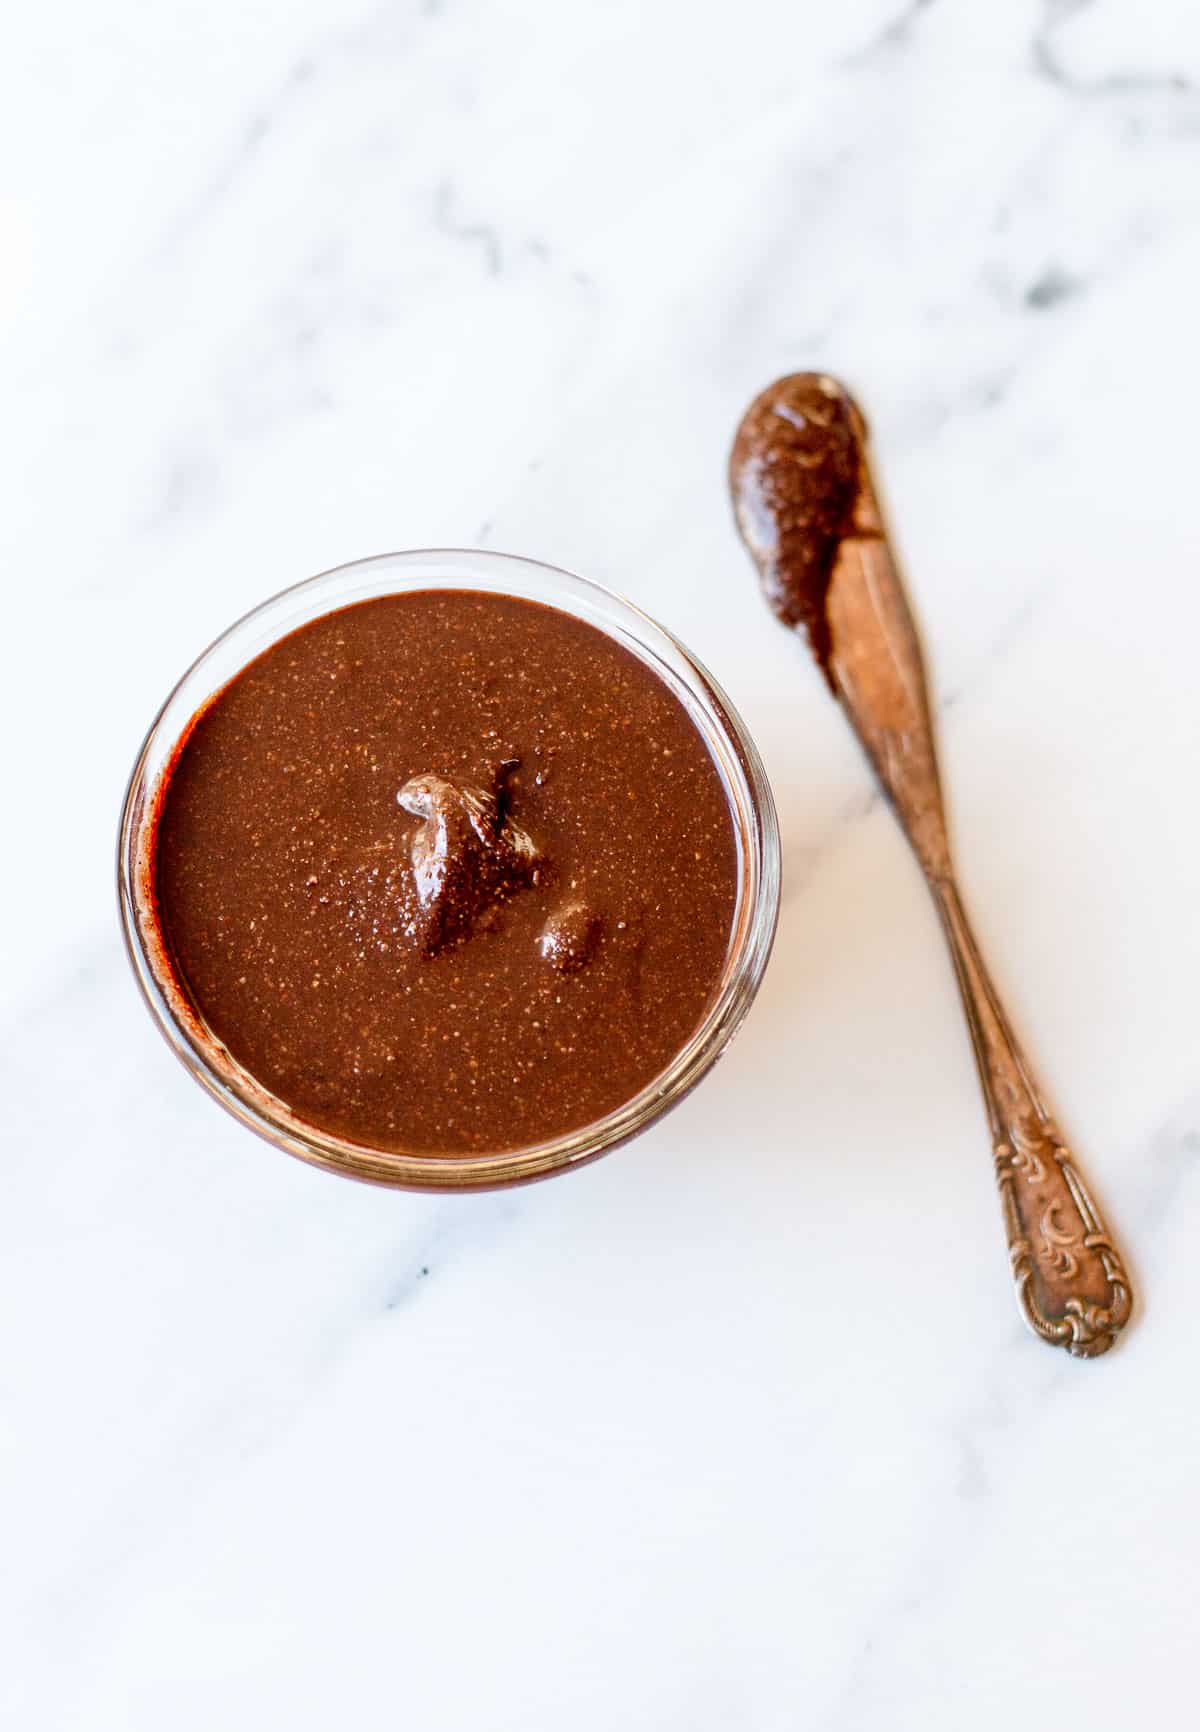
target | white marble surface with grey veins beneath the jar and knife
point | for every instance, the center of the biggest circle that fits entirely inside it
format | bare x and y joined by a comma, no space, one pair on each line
739,1428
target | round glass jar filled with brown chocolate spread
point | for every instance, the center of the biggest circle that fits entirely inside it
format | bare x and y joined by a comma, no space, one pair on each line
448,870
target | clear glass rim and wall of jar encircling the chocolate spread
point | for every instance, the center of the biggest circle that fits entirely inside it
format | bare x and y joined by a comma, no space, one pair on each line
730,746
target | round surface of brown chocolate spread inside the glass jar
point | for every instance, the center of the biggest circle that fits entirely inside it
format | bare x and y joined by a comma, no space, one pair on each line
448,872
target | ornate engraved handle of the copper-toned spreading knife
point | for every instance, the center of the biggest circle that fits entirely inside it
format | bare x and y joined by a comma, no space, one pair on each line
1071,1283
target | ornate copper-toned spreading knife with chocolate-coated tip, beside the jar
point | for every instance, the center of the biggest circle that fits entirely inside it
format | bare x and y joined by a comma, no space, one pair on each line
811,520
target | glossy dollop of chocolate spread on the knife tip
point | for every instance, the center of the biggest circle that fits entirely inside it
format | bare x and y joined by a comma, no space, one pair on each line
796,477
